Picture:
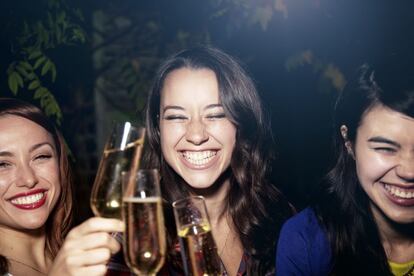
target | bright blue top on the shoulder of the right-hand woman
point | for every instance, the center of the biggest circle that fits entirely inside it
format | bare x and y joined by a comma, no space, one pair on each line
303,247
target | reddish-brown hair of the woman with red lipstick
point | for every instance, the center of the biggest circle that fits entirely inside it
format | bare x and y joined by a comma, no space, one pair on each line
59,220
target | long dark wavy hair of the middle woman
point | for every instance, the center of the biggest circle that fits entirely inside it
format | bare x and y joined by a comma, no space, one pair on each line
256,207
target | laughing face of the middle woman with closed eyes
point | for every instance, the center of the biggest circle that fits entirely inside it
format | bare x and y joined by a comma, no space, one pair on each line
197,140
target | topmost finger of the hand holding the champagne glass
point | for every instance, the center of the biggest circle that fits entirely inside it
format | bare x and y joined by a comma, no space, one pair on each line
97,224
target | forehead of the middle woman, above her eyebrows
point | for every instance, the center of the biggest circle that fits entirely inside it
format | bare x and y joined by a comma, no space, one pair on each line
187,86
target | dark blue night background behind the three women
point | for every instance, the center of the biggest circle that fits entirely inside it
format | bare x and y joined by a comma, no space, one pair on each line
300,54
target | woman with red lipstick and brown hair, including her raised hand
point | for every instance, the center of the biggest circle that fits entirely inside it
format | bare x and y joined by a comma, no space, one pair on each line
36,202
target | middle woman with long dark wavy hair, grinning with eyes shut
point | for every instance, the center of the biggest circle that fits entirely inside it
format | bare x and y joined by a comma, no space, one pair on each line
208,135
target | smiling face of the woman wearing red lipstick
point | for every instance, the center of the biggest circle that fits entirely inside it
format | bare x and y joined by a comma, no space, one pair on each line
29,173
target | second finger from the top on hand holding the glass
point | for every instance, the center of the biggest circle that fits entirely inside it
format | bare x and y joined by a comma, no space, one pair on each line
91,241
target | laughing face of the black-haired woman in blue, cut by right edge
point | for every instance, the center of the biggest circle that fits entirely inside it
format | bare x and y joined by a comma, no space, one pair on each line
384,155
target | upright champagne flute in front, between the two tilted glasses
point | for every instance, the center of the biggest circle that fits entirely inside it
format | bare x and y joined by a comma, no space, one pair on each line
144,240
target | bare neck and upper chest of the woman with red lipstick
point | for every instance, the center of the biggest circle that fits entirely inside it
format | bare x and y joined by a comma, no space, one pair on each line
26,247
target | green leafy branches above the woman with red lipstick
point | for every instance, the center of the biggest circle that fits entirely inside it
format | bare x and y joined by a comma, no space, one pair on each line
34,70
